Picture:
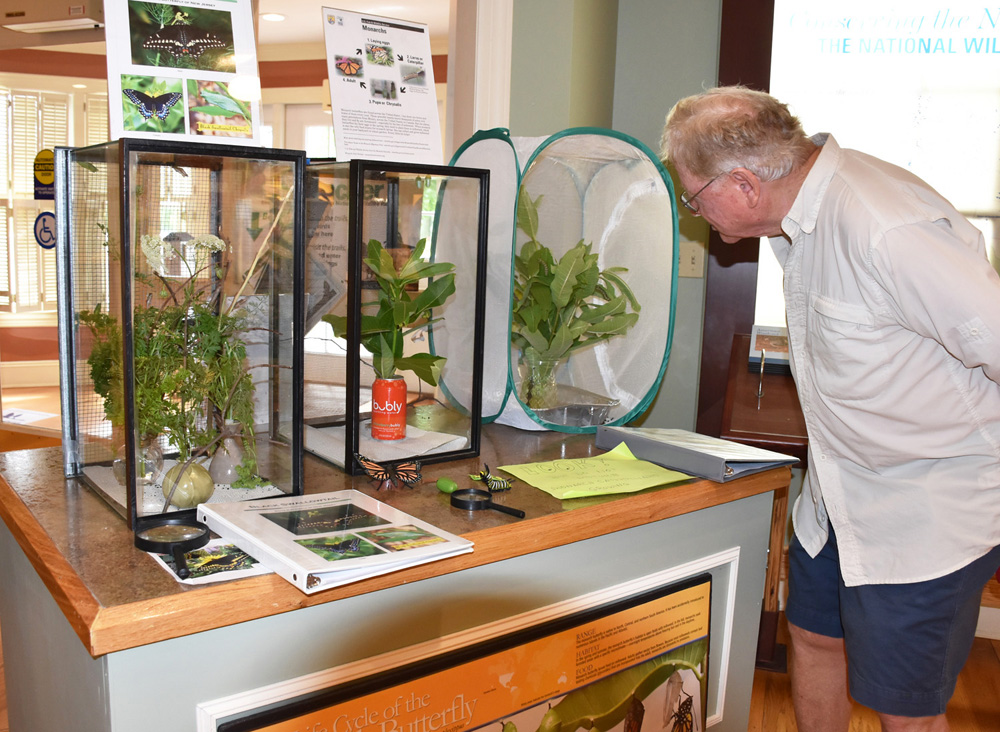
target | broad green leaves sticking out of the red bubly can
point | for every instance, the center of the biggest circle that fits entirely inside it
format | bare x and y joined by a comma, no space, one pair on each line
400,310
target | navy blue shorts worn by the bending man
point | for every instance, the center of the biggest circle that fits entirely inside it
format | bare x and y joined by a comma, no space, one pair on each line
906,643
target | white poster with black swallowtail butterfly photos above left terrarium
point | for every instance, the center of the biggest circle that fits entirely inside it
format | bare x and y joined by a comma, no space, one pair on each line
183,70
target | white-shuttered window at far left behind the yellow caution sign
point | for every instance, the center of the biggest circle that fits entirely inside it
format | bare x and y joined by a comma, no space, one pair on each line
29,122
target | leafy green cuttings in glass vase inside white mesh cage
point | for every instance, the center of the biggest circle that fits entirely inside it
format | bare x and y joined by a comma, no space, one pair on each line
561,306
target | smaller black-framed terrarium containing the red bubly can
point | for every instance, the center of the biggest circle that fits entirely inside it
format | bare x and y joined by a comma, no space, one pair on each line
395,298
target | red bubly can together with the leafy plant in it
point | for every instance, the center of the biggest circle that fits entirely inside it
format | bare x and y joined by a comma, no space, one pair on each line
399,310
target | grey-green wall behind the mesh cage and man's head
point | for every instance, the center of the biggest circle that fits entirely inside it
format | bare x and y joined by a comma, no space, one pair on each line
622,64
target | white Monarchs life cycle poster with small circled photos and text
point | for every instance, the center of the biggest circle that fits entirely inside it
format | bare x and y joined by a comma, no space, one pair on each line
381,88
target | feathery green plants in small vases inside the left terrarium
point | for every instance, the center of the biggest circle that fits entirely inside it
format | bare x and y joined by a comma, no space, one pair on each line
191,379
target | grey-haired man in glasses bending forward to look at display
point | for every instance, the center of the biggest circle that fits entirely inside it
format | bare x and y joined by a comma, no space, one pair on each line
893,315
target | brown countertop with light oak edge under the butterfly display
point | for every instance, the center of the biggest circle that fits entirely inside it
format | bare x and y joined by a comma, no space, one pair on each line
116,596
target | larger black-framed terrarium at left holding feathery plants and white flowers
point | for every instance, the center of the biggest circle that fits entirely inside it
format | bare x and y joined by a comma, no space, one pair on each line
179,312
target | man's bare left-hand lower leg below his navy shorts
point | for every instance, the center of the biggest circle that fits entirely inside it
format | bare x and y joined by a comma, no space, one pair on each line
819,682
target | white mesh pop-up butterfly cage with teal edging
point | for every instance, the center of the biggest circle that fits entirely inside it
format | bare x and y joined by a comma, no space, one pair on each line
582,277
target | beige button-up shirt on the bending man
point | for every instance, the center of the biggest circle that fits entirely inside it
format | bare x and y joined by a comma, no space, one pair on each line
894,326
